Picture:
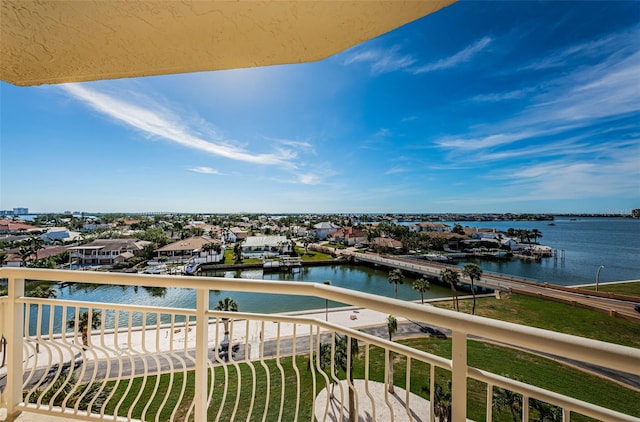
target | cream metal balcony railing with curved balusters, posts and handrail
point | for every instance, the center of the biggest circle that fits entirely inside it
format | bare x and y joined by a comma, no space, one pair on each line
89,360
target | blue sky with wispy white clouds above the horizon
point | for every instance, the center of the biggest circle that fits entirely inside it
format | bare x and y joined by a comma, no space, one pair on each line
480,107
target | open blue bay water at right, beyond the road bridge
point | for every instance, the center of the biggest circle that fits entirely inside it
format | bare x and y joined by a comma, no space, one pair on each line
587,244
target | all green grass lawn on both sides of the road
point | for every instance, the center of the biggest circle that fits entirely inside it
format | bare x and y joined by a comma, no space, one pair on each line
516,364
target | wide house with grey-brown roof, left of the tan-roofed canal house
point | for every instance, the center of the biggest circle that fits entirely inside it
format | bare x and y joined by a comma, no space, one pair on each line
105,251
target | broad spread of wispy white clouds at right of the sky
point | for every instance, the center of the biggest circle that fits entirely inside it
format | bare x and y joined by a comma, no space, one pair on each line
564,141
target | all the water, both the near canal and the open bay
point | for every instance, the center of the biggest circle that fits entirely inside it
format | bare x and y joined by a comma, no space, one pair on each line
587,244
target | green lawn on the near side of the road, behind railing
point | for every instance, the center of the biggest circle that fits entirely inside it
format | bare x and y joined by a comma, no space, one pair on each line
516,364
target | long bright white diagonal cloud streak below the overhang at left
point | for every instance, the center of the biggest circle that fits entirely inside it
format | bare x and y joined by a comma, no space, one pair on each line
156,121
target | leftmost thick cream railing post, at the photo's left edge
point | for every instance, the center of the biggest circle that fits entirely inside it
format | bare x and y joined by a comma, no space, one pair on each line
14,332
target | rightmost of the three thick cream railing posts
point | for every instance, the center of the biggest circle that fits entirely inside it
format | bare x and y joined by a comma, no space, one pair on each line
458,376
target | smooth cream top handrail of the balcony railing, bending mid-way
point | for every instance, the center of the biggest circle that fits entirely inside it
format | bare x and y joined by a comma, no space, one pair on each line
622,358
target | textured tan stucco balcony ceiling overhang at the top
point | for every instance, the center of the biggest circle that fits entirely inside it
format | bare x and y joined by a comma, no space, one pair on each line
57,41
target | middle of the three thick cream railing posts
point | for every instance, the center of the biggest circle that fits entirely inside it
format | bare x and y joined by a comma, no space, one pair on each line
202,345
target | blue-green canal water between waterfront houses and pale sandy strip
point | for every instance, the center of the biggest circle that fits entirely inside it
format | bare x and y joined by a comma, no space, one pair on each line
363,279
